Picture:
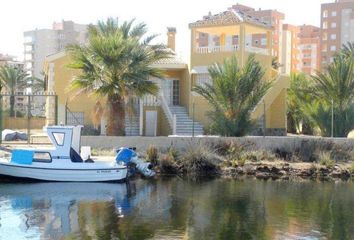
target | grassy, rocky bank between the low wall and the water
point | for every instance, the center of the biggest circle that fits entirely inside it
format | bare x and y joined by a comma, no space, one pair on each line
313,159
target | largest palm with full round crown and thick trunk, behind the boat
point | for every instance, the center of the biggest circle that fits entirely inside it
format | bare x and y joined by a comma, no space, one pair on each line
116,64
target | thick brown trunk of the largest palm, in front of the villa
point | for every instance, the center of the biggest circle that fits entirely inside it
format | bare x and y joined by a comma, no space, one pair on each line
116,116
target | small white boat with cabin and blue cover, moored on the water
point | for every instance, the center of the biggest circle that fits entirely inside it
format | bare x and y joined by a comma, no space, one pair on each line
63,162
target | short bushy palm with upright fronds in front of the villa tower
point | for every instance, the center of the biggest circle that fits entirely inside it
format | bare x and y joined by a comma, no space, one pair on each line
234,93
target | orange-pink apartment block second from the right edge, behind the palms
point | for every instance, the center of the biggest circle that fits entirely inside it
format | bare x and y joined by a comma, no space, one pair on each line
309,47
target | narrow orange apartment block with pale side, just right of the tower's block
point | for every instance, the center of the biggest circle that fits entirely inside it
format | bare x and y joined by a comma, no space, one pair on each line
290,50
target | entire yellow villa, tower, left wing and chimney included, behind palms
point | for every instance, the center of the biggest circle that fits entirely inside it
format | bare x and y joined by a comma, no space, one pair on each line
177,110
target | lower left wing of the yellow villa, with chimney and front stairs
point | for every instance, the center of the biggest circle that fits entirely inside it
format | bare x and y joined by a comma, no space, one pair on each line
161,115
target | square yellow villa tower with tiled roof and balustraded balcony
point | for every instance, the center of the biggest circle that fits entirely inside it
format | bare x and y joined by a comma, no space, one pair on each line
220,36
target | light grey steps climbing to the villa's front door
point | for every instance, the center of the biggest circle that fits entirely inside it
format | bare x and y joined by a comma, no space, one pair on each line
184,124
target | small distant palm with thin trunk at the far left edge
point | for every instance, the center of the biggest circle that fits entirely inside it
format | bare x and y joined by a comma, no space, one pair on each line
13,78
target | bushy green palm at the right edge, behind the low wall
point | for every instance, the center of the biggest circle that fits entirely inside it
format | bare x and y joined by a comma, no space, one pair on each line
335,87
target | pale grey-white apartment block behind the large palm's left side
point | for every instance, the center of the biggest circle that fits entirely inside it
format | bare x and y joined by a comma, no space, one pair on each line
40,43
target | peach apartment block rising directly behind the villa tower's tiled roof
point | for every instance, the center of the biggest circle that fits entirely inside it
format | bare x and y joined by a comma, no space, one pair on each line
272,17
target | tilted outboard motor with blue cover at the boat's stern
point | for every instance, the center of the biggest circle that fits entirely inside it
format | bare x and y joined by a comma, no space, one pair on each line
129,156
